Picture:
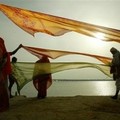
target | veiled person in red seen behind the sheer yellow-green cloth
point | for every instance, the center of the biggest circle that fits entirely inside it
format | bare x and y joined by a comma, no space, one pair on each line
42,76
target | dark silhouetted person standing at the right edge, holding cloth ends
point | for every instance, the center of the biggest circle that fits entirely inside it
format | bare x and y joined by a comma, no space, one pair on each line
115,69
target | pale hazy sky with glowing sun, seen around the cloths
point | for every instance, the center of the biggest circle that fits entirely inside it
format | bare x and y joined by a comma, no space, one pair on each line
99,12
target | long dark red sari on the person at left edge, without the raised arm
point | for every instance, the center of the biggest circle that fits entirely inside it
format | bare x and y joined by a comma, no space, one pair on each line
5,69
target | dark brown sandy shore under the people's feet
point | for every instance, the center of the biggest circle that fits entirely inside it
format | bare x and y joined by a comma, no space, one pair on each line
63,108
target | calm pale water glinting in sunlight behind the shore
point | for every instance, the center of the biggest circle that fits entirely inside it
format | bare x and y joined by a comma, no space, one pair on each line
73,88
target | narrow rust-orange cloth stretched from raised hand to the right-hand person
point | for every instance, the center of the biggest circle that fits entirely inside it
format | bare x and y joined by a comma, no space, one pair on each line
59,53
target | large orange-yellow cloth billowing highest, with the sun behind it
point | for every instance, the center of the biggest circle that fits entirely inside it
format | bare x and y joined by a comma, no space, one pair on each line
34,22
